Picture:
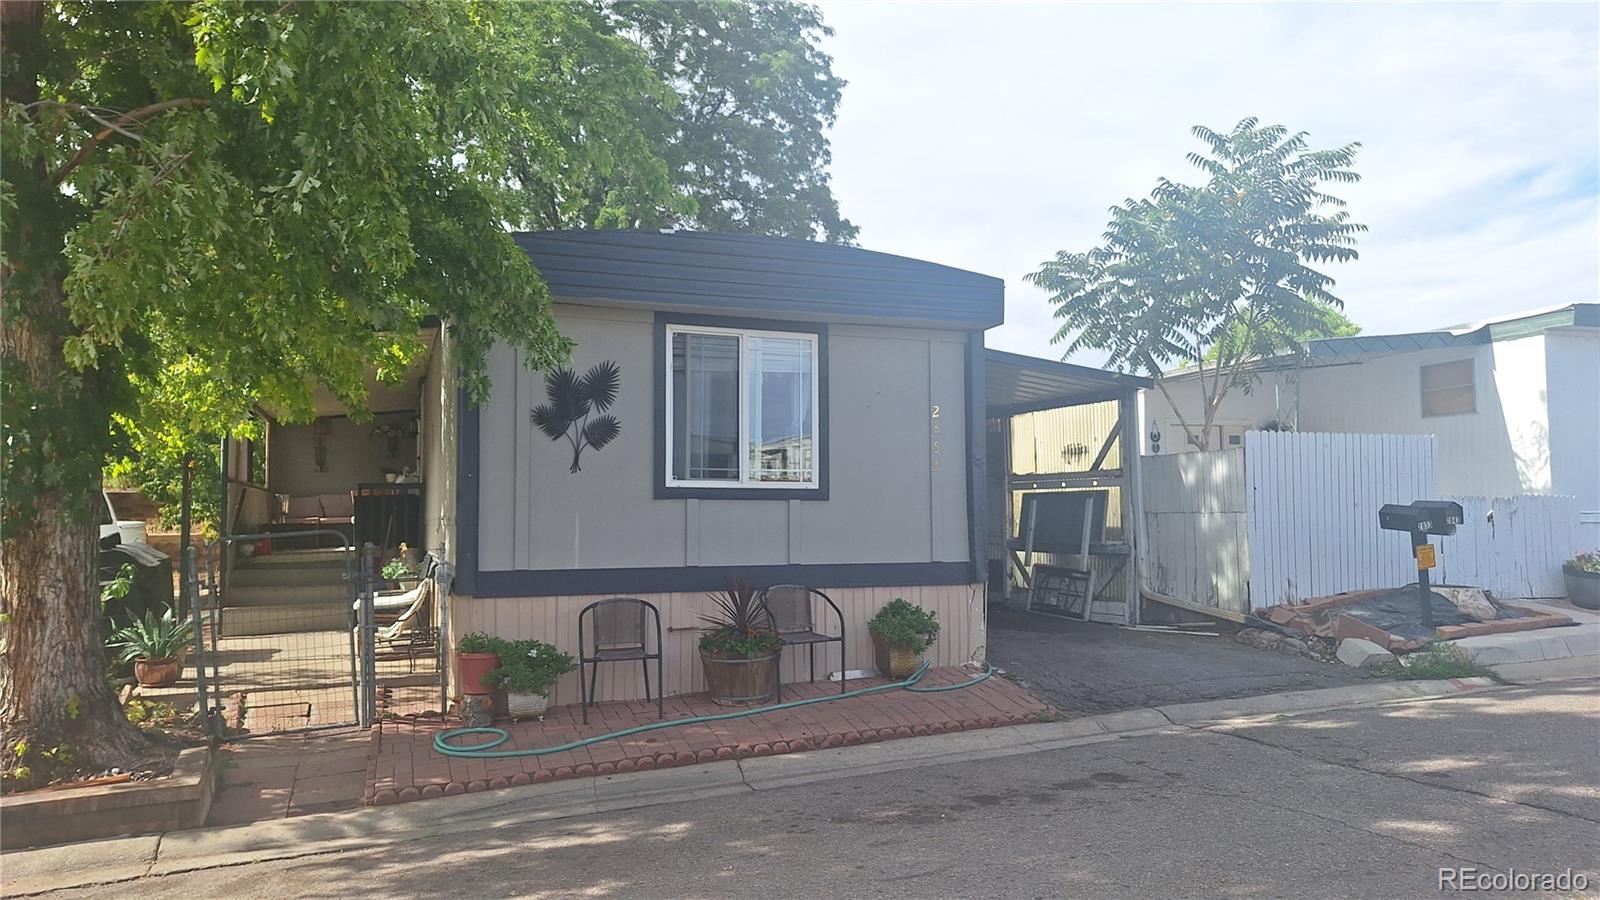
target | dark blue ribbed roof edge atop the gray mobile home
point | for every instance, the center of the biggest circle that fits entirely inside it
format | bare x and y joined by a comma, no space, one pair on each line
737,273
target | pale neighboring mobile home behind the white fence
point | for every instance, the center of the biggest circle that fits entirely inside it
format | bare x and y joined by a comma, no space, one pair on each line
1516,403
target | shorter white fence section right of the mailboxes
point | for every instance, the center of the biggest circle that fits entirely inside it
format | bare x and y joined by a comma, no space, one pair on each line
1513,545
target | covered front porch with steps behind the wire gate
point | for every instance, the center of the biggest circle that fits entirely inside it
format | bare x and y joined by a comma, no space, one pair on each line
308,507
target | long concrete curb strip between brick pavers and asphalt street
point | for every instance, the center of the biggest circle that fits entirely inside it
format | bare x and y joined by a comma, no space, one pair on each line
105,862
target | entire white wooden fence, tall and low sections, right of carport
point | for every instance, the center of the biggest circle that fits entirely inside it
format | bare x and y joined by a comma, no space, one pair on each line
1295,516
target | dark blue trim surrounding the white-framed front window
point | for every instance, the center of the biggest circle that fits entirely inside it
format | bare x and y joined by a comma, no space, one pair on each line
660,456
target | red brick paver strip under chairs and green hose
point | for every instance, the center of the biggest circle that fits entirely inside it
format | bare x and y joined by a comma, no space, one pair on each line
406,766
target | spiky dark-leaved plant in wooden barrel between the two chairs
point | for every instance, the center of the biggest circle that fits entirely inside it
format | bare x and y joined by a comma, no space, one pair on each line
740,649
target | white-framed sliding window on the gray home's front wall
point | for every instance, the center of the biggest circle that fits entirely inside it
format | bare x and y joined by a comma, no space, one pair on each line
742,409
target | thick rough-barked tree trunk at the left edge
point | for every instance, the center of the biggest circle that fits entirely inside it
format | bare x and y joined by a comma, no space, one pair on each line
57,712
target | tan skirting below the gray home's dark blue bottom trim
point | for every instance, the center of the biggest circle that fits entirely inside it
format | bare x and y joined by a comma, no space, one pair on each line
961,609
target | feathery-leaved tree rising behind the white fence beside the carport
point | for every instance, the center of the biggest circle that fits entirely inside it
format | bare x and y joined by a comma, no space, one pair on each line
1214,275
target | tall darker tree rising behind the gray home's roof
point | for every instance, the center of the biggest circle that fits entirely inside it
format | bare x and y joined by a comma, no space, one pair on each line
745,132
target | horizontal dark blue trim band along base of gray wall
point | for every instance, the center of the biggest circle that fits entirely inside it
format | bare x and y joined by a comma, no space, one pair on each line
582,582
